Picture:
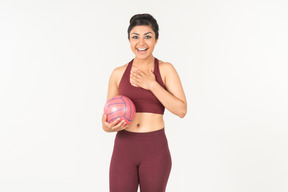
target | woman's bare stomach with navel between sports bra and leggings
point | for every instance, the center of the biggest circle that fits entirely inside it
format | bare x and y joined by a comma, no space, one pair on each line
146,122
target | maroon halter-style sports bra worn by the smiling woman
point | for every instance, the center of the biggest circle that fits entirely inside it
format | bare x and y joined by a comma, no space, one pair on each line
144,100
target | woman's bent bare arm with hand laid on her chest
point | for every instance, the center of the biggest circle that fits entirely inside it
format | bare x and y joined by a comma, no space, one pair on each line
174,97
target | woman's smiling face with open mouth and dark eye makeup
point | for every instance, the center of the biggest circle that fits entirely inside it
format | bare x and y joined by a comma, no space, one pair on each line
142,41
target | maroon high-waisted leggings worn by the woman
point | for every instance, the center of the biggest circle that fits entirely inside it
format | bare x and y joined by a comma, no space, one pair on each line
140,159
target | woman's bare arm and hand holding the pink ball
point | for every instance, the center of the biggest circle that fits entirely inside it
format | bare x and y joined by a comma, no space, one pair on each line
113,90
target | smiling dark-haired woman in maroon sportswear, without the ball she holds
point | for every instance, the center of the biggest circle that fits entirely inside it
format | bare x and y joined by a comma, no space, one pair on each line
141,154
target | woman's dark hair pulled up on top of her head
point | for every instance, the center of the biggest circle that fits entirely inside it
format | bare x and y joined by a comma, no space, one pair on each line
144,19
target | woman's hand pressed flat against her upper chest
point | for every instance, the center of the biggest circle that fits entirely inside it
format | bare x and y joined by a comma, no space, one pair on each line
140,79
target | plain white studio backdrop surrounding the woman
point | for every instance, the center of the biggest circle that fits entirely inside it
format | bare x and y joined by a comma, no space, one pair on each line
56,57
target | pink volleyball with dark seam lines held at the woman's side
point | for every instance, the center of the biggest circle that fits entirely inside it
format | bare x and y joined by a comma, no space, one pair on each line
120,107
